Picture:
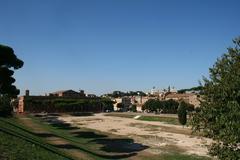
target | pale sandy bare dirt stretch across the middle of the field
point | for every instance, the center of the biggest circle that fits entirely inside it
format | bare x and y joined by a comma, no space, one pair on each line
160,137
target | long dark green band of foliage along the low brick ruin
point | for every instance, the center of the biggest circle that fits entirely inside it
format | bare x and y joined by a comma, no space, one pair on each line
67,105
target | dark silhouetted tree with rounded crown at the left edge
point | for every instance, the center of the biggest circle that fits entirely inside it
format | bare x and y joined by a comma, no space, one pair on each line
8,63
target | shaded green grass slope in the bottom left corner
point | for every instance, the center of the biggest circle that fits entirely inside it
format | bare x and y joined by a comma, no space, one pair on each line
17,143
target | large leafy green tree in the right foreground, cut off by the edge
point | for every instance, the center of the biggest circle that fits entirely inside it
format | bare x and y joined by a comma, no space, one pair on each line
219,114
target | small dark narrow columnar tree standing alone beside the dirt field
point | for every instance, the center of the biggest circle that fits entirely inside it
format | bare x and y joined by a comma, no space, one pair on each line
182,113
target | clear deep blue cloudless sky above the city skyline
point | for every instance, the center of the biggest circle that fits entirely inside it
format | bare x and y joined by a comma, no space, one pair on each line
106,45
